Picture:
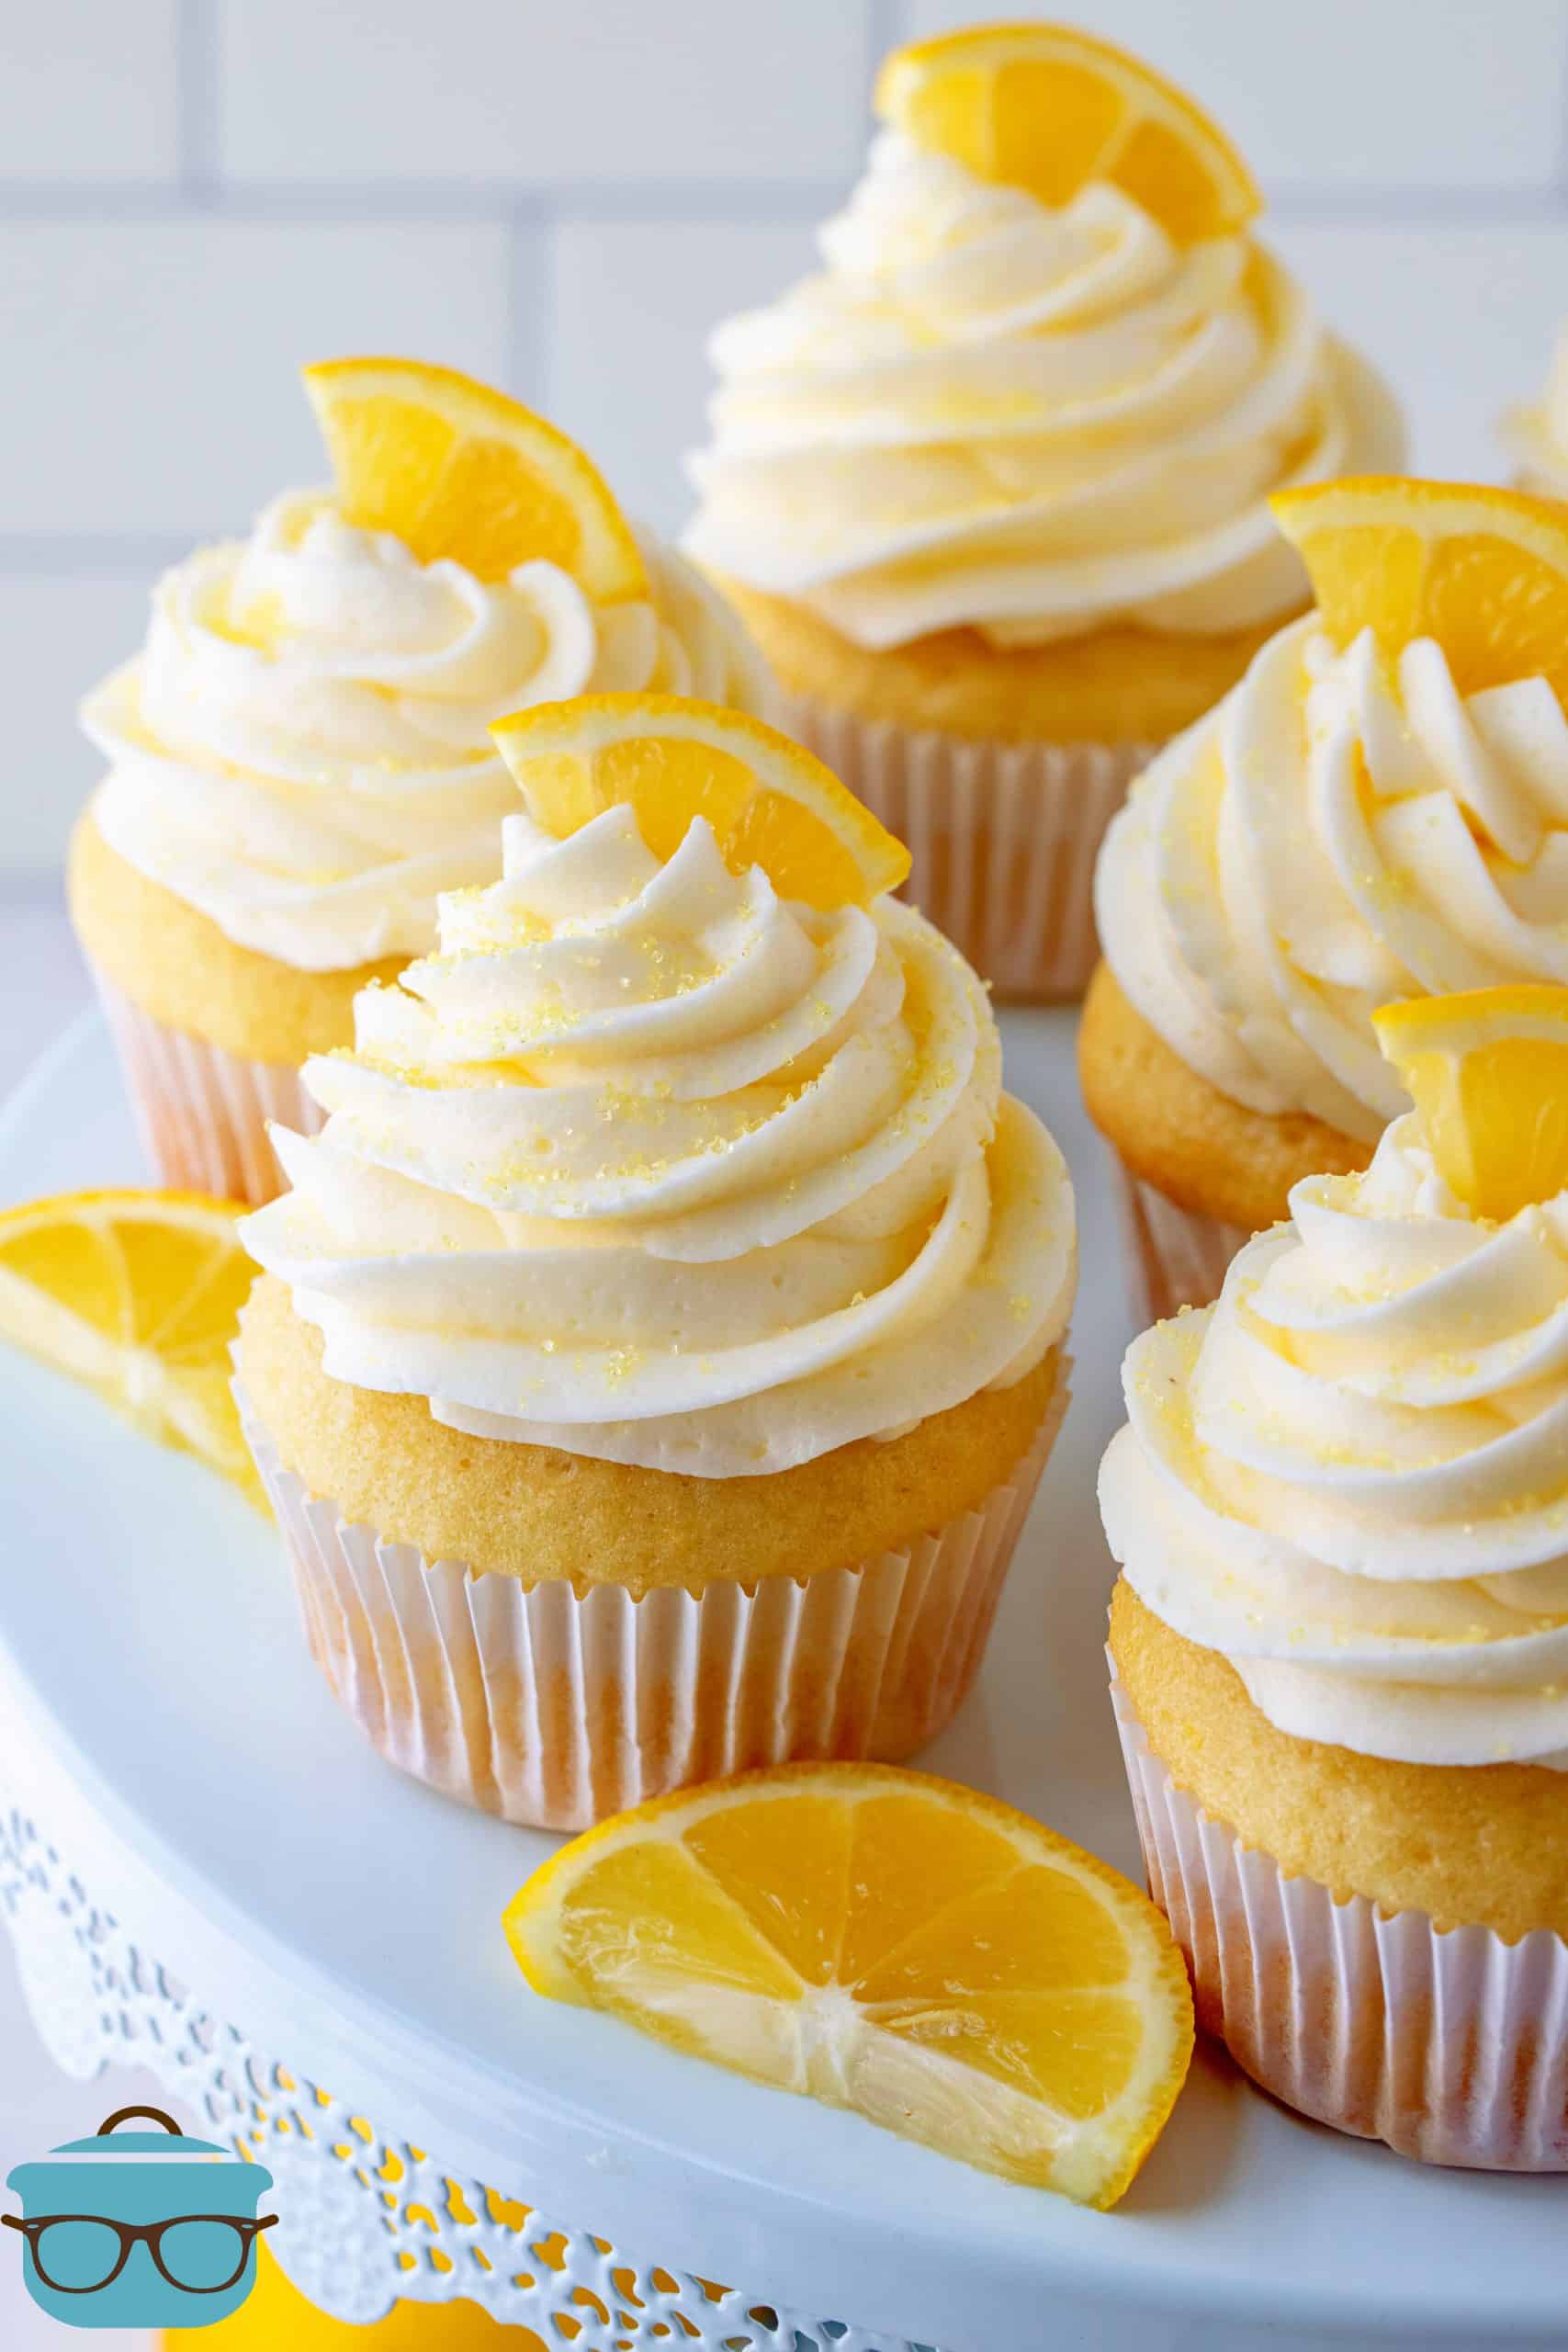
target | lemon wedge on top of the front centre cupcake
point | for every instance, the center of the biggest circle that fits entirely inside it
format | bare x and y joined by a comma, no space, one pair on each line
669,759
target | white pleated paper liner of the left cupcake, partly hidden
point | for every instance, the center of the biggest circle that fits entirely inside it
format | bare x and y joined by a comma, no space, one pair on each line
201,1111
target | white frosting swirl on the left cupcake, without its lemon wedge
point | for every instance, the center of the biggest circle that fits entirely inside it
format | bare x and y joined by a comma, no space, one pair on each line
302,751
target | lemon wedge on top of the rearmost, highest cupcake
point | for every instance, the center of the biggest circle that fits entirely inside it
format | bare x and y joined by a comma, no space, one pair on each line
1052,109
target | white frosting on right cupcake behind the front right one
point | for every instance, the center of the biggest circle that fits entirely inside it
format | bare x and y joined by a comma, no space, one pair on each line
1336,834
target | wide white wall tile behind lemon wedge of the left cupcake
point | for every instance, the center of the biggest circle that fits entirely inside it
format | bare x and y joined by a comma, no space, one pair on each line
159,389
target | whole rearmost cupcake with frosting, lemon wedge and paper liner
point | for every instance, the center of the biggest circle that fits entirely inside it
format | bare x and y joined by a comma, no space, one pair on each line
991,488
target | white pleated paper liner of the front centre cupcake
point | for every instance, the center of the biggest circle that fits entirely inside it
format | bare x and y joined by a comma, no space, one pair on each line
556,1706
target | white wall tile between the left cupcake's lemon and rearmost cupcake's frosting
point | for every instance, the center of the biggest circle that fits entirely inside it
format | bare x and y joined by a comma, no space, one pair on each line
634,307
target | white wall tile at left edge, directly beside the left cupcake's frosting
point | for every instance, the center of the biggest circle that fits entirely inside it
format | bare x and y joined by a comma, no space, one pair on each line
74,634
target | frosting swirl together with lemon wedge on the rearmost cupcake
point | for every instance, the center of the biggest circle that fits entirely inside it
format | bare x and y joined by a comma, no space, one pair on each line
1045,380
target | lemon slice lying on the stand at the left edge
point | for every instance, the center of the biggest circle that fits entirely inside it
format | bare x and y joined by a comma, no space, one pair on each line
138,1295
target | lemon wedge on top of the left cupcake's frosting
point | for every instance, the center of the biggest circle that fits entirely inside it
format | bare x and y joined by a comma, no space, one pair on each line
457,469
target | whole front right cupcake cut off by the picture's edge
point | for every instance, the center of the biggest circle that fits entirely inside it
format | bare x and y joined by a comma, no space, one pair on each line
1341,1631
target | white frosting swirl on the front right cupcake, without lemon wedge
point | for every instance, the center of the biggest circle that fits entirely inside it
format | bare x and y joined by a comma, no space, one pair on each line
1351,1476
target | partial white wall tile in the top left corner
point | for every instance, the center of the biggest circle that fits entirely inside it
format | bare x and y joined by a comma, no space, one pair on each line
88,93
